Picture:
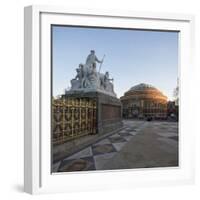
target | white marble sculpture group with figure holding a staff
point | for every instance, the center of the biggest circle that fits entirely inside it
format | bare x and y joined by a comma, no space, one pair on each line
88,78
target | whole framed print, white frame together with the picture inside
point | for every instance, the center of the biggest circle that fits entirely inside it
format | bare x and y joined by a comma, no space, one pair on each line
106,102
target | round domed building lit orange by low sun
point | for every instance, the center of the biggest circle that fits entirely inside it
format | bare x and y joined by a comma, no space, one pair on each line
144,101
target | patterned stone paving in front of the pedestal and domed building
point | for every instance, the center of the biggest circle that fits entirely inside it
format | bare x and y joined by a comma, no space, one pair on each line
125,149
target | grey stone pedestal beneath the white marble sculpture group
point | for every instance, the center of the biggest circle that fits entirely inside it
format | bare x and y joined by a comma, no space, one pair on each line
109,110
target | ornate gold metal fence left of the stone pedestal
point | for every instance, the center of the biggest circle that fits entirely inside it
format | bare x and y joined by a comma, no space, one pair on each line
73,118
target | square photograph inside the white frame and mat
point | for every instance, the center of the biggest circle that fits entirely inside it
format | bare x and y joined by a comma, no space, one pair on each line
114,98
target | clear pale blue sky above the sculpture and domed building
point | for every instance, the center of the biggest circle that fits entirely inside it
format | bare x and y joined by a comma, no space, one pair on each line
131,56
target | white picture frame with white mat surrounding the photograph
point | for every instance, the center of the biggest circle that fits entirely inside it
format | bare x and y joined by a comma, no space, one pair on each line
37,169
